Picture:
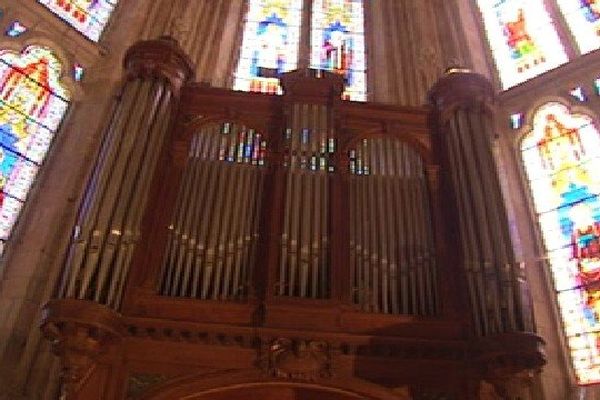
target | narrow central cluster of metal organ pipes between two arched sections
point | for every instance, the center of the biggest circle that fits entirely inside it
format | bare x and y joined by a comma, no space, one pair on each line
304,256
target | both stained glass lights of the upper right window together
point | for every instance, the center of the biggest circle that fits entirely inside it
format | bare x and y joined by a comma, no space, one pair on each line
524,34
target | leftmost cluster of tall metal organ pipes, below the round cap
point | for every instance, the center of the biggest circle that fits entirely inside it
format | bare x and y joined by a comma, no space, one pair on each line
108,225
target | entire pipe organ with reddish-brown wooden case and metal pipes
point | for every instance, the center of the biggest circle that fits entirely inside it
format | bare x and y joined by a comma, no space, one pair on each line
239,245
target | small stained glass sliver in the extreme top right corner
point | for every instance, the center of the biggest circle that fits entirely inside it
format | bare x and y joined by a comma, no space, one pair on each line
583,18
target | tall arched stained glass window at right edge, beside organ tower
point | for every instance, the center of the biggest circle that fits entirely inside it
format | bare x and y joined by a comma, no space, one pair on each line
562,159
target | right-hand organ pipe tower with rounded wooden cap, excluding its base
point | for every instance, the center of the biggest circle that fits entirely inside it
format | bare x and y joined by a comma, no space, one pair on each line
497,292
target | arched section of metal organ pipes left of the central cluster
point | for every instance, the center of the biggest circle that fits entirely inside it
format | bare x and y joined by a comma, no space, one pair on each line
214,229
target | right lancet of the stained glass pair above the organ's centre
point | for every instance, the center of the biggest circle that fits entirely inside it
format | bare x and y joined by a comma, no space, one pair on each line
338,43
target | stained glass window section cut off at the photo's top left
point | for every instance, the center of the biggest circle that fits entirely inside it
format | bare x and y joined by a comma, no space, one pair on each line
87,16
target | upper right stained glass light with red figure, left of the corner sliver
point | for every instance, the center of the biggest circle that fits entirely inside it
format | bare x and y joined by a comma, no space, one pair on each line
522,37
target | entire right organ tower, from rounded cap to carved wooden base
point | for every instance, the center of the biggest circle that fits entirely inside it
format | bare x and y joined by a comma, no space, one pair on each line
504,344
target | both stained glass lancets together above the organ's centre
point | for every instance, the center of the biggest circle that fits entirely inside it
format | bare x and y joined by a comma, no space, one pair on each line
273,36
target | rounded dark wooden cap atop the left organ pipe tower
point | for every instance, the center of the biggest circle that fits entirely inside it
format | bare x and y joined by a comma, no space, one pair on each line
162,57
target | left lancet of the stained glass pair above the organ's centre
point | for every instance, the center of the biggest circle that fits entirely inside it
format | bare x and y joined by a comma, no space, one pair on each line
269,45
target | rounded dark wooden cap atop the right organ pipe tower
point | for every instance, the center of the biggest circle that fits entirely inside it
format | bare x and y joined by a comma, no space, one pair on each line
461,88
